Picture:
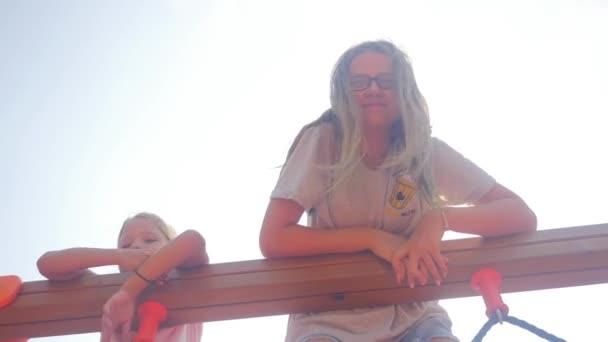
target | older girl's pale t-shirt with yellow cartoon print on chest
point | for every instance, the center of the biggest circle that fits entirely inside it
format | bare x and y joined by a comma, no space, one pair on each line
386,199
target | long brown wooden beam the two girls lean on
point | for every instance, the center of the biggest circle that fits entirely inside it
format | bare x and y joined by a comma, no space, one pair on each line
539,260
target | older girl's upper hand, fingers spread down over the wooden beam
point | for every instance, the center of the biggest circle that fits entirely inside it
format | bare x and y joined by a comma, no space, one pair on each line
423,252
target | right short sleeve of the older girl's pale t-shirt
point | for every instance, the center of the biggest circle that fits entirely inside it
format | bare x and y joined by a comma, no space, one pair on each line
457,179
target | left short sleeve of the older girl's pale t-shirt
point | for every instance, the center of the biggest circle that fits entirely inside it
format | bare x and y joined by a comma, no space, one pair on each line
305,175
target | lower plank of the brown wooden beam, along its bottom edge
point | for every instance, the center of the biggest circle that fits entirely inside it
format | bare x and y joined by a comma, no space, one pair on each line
311,304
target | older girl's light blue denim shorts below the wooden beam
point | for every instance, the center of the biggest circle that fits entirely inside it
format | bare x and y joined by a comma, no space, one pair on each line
423,331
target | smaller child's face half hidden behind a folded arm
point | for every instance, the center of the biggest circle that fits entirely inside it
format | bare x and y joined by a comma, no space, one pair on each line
143,234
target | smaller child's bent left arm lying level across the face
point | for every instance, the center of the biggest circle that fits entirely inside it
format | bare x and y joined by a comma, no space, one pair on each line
72,263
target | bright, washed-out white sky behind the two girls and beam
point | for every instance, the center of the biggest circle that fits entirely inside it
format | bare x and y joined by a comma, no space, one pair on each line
185,108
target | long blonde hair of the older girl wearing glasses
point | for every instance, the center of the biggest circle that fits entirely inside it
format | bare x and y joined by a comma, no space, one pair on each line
410,137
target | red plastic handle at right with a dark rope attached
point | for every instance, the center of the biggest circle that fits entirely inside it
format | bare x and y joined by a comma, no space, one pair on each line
487,283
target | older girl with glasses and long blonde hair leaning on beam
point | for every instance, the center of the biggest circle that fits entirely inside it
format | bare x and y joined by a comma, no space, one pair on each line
370,176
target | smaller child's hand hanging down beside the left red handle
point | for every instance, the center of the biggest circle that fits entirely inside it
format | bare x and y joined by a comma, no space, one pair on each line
117,317
